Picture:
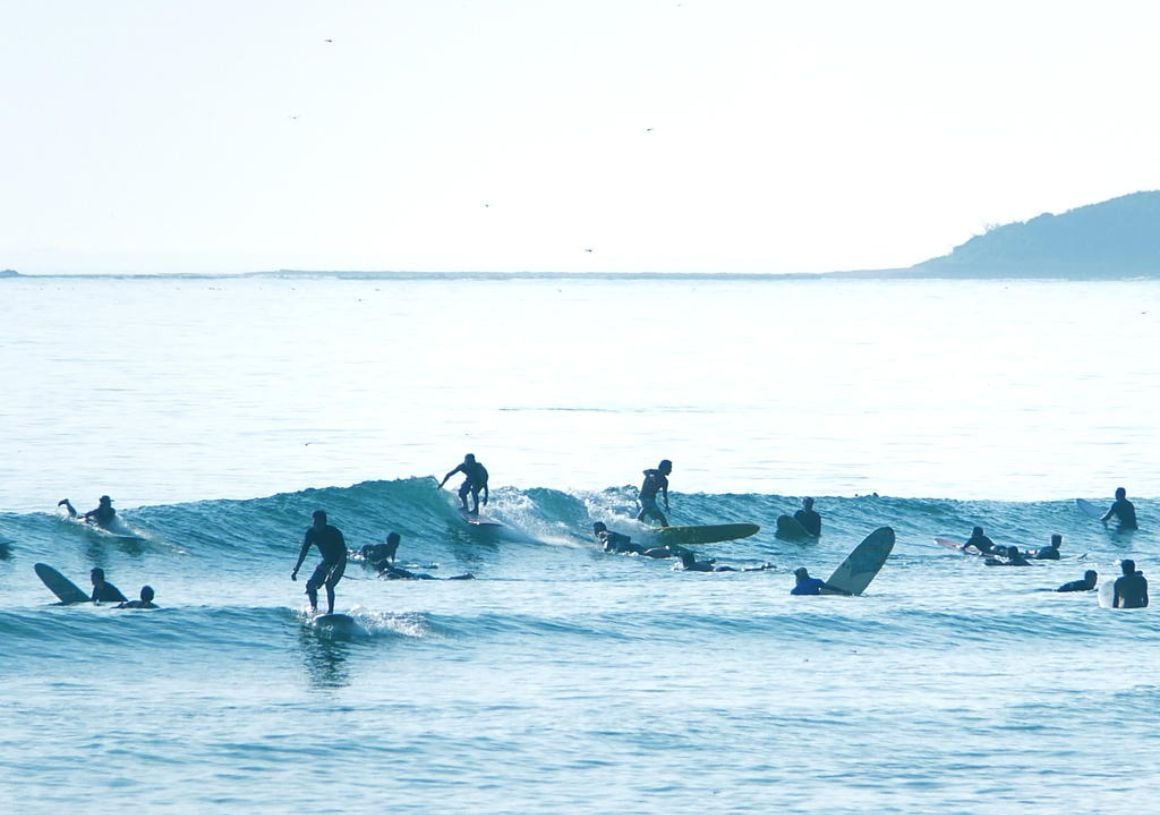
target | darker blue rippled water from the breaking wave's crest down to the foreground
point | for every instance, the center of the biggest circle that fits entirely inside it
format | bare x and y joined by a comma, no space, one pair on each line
560,661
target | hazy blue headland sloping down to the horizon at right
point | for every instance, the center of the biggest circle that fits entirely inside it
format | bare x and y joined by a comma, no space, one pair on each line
1115,239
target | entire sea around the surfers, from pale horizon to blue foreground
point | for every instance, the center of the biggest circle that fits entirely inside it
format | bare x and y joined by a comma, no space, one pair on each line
221,412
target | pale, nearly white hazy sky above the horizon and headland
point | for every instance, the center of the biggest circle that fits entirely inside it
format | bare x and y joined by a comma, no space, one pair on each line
159,136
